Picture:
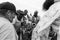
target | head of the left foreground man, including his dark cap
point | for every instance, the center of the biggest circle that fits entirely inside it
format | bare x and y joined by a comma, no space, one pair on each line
8,10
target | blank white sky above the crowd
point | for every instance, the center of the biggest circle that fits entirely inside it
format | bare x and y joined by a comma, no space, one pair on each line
30,5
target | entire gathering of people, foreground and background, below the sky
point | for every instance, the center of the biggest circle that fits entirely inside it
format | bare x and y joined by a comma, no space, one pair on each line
19,25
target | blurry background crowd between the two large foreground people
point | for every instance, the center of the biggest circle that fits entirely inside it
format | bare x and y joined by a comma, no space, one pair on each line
26,24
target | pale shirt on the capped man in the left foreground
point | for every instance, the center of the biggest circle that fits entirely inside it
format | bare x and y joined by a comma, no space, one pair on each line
7,31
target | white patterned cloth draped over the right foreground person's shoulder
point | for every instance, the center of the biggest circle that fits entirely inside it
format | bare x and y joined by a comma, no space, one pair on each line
46,20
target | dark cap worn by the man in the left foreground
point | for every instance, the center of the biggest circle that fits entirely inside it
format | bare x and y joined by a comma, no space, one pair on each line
8,6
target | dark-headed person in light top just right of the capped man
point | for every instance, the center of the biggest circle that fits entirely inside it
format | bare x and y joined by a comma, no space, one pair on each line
17,23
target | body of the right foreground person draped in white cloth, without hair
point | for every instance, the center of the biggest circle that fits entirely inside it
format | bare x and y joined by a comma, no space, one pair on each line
41,31
